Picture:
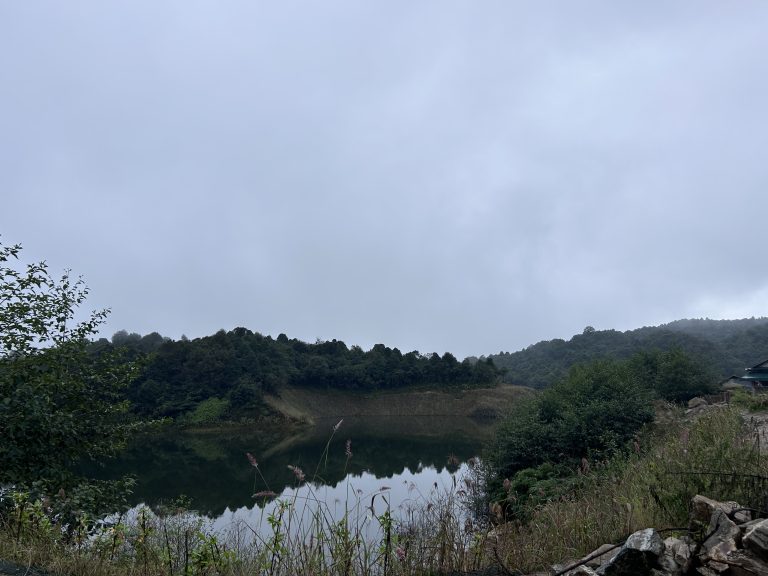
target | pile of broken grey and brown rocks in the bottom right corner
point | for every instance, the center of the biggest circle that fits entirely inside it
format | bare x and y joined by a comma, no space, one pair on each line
723,540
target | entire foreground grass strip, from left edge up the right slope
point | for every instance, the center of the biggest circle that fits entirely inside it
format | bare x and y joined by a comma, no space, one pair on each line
718,455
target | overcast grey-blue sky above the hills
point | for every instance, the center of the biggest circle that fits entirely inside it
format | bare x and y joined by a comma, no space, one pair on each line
470,177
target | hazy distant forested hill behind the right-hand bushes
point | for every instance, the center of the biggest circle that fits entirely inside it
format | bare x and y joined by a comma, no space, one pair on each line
724,347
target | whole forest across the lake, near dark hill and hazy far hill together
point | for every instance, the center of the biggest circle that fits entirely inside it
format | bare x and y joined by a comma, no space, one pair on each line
230,371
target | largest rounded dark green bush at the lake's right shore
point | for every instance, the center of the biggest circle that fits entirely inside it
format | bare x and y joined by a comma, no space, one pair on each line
591,415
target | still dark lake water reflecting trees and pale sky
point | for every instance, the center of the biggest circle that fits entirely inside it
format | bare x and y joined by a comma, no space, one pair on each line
366,466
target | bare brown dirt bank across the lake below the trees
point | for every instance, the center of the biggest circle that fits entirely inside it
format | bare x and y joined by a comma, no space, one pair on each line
310,405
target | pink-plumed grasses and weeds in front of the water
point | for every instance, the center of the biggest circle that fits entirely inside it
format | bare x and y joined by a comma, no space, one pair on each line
300,533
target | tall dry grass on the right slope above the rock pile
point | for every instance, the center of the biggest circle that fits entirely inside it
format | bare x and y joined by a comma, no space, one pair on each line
717,455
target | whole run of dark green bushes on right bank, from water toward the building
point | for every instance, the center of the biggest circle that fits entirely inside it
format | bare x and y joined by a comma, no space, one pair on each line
592,414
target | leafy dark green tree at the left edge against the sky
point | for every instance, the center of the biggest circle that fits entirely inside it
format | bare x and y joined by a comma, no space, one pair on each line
58,403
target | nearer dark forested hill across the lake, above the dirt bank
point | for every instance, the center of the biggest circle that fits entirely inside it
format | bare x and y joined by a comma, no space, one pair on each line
235,368
